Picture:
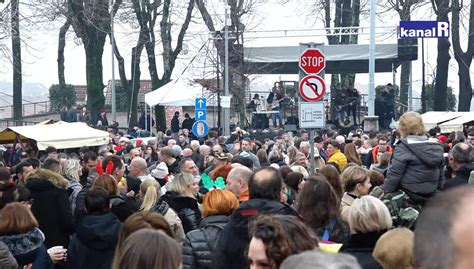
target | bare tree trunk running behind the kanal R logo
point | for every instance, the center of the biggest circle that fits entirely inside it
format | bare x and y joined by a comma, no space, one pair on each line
442,9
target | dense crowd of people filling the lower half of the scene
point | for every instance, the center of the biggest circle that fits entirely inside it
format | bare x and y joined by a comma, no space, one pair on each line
237,202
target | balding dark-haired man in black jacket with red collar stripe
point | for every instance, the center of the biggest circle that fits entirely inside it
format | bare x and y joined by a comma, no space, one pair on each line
265,187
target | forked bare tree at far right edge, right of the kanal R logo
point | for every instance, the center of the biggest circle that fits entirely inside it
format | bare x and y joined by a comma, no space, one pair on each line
464,59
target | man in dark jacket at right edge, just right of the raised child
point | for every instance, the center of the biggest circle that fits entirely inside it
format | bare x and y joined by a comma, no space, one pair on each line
461,161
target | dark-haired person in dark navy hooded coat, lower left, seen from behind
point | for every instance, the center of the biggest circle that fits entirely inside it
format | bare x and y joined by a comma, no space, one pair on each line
93,245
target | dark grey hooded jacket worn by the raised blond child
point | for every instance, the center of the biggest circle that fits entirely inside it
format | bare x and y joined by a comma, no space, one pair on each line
416,167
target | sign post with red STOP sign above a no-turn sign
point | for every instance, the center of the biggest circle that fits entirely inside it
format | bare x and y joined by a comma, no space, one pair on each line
312,88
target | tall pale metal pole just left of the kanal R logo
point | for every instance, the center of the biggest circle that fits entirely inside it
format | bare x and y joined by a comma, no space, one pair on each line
372,59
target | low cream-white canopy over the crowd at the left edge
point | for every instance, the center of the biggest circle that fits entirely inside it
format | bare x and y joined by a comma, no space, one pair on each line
60,135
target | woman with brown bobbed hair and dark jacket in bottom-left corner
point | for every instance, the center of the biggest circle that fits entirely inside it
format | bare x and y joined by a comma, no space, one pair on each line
19,232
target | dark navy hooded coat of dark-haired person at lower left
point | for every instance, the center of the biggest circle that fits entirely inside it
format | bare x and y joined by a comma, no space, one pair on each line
93,245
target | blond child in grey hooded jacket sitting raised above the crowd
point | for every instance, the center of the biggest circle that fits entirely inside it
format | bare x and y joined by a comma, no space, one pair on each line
417,162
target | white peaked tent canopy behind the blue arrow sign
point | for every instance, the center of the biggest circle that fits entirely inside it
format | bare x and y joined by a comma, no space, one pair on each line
177,93
